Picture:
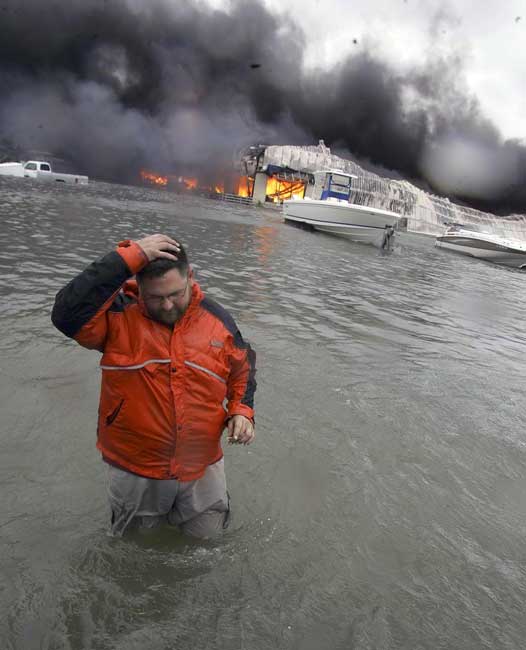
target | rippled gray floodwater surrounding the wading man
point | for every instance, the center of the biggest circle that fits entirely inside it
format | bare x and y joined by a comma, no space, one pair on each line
383,503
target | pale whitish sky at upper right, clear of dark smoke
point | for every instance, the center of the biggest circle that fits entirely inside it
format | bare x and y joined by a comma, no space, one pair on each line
487,36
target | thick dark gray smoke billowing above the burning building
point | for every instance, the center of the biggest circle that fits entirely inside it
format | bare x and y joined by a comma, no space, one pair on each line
116,86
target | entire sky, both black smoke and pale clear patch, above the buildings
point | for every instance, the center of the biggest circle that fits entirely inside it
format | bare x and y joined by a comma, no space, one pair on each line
423,90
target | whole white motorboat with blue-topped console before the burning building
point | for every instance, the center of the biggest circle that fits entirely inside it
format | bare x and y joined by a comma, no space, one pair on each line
333,213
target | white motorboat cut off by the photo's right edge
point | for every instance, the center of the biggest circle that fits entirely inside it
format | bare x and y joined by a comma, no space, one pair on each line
472,240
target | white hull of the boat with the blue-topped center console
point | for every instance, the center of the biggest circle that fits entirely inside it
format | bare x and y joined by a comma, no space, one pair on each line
356,222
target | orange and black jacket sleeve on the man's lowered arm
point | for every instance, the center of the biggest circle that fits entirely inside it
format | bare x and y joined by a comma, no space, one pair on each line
242,379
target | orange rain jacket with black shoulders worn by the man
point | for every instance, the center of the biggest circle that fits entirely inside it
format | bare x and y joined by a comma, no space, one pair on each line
165,393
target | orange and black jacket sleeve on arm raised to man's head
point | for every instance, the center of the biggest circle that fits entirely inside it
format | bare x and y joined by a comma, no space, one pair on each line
81,307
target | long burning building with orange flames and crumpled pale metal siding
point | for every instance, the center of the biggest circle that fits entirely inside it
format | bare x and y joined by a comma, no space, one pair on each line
263,174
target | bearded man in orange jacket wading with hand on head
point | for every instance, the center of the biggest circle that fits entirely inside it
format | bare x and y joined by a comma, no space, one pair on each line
175,372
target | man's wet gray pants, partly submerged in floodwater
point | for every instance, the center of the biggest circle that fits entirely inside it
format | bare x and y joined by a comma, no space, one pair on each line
200,508
